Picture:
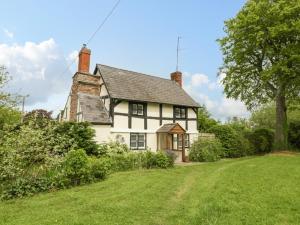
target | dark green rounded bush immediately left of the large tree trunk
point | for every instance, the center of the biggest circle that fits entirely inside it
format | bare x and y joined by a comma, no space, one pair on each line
262,140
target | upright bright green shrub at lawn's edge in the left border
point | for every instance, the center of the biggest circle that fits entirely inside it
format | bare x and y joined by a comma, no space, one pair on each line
76,166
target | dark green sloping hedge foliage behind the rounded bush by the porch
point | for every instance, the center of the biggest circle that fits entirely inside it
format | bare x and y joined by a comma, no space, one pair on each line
233,142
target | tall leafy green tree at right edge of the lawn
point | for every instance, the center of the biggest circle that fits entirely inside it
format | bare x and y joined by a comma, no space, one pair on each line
261,51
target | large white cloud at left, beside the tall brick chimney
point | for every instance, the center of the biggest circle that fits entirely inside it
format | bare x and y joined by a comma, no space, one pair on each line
36,69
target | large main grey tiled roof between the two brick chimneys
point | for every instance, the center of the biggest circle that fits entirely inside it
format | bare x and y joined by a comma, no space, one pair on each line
129,85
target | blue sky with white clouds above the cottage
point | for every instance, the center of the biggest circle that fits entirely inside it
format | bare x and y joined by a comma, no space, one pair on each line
38,39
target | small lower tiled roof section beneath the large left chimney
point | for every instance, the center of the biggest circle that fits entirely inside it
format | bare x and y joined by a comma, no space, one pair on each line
93,109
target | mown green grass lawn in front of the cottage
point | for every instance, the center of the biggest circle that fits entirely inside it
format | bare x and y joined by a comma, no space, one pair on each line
258,190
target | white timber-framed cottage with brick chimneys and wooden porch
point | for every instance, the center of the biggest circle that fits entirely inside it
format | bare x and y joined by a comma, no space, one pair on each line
143,111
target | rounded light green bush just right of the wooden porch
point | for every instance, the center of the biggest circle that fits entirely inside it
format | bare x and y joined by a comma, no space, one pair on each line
206,150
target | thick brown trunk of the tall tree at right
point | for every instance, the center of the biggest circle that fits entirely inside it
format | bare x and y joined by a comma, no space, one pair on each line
281,122
